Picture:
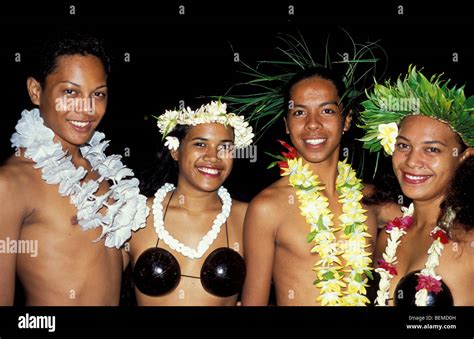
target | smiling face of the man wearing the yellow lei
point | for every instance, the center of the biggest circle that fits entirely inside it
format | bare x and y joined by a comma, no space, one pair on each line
315,122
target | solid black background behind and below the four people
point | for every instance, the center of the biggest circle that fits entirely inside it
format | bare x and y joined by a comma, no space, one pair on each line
180,57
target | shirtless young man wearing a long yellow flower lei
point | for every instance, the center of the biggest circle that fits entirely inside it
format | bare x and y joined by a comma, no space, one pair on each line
309,230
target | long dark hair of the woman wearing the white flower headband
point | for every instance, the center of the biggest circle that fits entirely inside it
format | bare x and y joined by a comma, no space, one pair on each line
164,169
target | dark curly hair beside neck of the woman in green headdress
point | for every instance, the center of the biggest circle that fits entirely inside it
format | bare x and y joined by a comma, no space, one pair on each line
460,197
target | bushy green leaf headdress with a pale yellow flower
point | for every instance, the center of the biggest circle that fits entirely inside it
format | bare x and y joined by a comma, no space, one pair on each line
387,104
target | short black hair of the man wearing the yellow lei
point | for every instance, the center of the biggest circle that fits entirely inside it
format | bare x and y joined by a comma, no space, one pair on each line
317,72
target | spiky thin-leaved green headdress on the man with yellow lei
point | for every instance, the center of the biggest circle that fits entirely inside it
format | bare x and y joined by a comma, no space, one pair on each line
263,101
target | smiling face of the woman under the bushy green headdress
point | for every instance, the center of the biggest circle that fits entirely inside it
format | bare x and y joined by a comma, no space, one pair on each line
426,155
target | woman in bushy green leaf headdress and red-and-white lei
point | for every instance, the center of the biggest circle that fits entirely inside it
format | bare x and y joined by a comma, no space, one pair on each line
424,258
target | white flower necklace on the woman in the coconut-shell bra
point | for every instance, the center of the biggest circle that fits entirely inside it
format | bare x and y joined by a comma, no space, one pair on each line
208,238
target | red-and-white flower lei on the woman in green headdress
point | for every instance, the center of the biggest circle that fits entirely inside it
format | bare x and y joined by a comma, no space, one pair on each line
428,280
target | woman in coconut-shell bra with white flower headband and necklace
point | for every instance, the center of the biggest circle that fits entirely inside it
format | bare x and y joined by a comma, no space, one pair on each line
190,253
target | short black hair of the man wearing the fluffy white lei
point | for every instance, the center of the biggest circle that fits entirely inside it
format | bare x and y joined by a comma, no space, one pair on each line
69,43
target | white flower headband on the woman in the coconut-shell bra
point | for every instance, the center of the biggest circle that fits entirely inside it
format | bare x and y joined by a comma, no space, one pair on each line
214,112
